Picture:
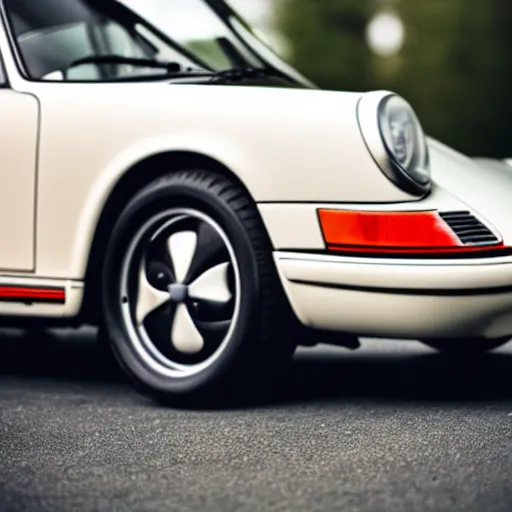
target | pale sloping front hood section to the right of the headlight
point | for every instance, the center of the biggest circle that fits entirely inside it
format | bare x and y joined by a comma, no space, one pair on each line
484,185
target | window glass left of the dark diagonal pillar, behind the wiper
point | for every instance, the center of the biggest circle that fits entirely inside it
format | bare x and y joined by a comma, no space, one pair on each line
53,35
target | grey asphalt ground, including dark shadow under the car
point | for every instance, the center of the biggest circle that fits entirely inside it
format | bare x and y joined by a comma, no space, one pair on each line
393,426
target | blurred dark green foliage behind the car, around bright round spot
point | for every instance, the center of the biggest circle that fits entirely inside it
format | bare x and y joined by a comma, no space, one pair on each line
455,66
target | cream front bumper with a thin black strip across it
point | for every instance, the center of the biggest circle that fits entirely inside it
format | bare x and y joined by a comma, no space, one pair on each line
400,298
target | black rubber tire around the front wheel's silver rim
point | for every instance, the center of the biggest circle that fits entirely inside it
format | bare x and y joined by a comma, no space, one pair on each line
262,341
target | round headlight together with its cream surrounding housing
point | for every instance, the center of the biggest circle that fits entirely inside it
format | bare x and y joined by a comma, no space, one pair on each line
396,140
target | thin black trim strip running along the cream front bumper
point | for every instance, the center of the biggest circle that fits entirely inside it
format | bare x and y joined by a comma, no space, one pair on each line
409,291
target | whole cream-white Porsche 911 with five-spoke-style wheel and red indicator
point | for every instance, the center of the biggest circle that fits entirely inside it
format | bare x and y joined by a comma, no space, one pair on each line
209,209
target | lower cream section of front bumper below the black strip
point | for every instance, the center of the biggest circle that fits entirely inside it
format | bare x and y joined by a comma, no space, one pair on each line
366,313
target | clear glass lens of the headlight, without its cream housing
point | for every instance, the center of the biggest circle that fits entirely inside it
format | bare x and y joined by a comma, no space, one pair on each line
404,138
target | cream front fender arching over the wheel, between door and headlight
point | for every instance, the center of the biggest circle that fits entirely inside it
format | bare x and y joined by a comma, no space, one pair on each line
285,145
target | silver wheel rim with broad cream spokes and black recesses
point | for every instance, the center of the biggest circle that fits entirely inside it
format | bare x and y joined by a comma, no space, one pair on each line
180,292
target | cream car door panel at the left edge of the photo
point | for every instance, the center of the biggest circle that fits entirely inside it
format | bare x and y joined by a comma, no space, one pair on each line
19,122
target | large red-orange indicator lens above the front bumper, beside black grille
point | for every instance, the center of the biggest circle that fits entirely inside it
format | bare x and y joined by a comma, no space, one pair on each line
393,232
